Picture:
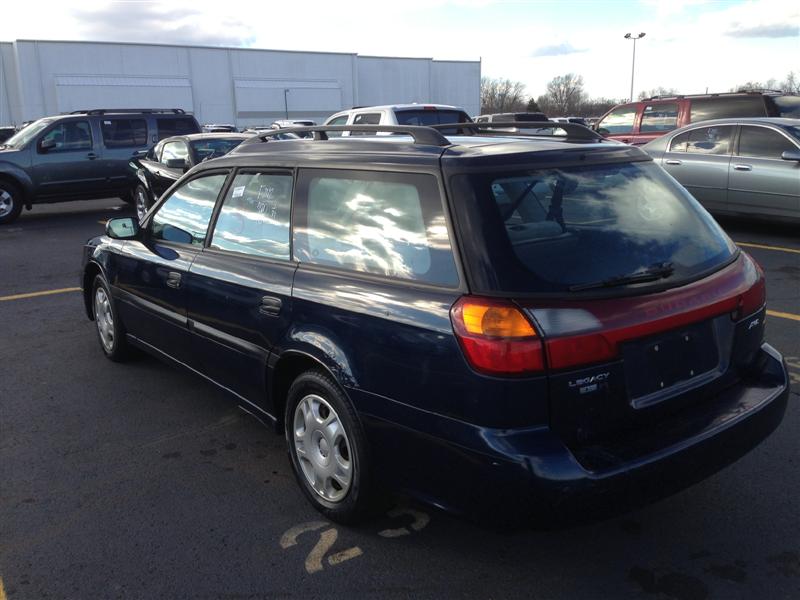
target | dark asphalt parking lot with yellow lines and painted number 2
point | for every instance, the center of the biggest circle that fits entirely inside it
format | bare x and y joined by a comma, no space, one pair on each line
140,481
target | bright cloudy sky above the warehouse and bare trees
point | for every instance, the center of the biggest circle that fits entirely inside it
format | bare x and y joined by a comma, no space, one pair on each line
690,45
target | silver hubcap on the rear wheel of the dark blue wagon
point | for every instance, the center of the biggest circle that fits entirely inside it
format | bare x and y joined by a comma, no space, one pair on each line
322,448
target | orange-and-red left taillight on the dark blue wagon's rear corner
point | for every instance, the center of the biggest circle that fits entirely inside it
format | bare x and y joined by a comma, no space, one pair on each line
496,337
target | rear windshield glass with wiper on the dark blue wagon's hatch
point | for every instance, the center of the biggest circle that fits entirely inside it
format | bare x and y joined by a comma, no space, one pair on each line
560,230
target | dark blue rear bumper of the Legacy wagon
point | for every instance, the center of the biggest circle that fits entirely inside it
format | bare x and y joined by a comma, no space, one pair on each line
531,474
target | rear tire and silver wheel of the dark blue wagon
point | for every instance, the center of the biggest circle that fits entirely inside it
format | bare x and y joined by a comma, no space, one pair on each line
328,448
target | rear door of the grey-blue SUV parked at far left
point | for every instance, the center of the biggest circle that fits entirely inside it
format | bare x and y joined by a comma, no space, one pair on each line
123,138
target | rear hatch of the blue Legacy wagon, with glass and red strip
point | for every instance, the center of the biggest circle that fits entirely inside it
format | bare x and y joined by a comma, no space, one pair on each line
641,303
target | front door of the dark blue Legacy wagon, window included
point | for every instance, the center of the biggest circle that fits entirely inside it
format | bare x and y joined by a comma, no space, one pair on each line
152,272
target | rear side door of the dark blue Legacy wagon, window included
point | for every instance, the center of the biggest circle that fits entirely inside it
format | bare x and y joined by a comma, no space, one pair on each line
240,286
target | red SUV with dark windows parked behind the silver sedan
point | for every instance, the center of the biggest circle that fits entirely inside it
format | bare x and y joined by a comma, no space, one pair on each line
640,122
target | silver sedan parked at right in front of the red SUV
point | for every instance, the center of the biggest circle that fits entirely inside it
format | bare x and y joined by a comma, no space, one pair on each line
736,166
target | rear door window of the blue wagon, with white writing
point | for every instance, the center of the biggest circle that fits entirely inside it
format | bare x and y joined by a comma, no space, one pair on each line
254,218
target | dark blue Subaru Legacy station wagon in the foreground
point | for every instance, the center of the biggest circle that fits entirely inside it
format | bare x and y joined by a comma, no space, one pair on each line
498,325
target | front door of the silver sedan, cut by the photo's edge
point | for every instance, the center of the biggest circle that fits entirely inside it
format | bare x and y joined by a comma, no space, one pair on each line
760,181
